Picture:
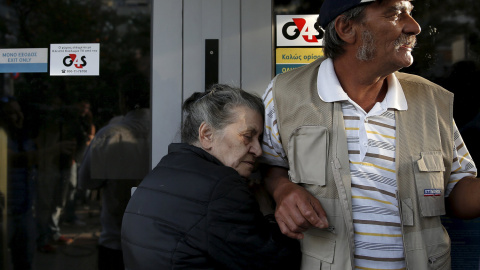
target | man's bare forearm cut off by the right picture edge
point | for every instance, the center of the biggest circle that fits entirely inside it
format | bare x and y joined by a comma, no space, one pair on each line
464,200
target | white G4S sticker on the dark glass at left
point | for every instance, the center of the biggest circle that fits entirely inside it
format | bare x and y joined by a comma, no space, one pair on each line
75,59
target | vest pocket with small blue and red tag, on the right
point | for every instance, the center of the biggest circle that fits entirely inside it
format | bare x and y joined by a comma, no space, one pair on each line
429,168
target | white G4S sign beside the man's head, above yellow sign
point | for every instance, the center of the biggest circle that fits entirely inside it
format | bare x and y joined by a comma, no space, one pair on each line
298,31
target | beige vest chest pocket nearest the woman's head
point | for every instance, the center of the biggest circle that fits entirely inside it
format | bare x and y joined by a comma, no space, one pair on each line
307,155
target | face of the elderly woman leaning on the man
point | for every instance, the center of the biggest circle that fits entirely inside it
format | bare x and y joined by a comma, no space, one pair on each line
238,144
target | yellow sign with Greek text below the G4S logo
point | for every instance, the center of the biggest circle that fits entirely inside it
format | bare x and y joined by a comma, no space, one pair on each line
291,58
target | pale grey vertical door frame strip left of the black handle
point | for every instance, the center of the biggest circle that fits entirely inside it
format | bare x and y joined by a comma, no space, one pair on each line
166,75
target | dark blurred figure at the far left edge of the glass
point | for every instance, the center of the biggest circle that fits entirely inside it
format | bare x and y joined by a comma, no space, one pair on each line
22,157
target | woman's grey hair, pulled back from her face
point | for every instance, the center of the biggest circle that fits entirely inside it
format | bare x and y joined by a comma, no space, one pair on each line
215,107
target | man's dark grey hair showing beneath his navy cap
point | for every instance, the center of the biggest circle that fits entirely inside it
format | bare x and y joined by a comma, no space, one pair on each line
333,44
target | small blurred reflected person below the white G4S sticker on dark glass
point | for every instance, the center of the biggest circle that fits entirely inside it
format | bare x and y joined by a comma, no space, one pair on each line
57,174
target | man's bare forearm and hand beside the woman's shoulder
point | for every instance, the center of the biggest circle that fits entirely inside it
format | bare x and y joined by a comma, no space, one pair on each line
297,210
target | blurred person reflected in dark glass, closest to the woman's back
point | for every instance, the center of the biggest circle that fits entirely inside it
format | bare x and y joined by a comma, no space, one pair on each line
117,159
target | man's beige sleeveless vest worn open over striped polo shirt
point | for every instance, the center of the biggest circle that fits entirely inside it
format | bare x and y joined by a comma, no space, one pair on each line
313,136
